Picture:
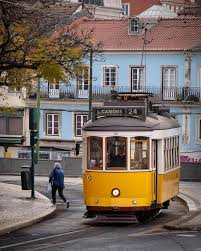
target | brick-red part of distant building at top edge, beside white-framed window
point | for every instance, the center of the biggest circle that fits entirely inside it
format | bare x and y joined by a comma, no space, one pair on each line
138,6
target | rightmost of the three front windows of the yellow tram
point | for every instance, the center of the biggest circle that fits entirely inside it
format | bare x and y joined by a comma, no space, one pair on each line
139,154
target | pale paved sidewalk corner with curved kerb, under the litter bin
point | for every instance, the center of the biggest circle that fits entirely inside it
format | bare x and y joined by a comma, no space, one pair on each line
17,210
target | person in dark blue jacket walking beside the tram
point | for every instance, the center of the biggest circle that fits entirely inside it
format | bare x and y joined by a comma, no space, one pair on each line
56,177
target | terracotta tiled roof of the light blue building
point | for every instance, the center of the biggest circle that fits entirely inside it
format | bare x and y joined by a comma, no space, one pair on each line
167,34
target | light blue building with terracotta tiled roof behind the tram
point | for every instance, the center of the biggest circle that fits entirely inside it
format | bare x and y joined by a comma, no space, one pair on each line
163,58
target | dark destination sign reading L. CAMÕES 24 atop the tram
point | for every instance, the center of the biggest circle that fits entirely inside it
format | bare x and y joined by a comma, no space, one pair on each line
119,111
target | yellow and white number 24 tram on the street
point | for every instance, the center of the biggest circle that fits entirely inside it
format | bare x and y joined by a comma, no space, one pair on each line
130,159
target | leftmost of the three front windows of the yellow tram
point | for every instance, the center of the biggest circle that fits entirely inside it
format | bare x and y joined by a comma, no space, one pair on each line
95,153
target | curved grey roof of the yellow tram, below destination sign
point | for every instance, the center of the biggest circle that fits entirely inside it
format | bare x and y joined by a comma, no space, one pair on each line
156,122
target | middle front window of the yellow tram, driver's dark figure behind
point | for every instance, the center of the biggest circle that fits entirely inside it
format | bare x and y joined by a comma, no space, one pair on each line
116,153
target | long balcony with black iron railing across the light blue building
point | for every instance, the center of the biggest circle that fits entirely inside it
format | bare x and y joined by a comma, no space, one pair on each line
177,94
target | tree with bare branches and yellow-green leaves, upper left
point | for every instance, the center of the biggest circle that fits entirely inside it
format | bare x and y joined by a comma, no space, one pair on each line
34,43
